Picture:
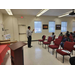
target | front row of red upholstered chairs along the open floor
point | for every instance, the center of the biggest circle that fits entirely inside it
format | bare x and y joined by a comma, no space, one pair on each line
68,46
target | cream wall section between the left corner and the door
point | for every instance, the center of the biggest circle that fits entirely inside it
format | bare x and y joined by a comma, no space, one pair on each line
10,23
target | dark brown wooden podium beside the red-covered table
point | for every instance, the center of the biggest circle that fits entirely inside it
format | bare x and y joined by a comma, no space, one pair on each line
17,53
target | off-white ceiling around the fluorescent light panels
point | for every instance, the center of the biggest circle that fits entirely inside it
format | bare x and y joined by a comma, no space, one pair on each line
51,12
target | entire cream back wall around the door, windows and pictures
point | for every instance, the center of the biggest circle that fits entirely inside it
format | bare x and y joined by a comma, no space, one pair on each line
11,23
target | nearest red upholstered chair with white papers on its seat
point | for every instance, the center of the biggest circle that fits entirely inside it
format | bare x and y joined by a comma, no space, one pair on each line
68,46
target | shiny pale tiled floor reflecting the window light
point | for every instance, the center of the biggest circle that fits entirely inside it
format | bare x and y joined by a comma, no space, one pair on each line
37,55
